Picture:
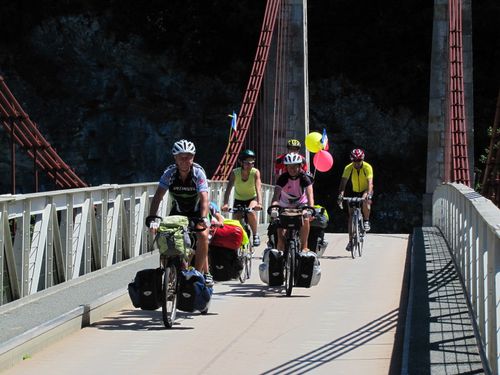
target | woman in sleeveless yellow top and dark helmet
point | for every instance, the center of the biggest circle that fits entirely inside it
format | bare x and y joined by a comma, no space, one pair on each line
247,190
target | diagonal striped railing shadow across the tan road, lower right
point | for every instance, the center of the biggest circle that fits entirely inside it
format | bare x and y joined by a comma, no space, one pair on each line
338,347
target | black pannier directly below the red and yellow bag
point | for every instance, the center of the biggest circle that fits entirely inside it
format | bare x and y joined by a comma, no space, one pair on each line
224,263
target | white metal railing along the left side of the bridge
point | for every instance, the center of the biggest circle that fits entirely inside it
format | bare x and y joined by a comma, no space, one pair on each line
48,238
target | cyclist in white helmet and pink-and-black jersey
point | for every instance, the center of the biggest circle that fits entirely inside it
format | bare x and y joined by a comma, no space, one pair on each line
293,189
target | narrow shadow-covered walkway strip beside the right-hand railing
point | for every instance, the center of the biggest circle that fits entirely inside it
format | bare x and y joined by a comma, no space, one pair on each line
441,334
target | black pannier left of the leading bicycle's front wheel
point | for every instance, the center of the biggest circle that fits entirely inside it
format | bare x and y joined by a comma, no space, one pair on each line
145,290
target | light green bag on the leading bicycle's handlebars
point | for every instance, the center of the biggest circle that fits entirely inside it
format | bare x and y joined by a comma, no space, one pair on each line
173,236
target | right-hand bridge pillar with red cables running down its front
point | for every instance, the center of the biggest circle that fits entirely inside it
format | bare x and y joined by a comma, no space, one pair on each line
450,128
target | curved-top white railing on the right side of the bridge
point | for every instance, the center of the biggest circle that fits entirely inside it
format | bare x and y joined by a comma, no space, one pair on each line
471,225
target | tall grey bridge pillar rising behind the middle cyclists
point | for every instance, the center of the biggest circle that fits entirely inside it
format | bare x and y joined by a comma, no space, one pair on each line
284,109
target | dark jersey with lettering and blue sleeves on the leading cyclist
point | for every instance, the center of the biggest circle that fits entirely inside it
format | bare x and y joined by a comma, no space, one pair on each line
185,193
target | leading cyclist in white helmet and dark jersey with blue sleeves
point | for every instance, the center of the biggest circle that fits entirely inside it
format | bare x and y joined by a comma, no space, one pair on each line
187,184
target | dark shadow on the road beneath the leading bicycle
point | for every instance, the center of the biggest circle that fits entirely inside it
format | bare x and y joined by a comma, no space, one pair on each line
142,320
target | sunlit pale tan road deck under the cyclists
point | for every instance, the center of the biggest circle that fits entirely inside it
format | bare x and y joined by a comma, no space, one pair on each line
346,324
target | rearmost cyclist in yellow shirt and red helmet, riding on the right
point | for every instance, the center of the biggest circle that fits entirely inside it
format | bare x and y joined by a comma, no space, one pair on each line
361,175
